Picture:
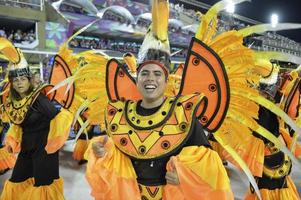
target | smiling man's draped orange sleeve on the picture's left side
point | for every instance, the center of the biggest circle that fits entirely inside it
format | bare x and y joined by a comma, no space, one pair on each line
111,177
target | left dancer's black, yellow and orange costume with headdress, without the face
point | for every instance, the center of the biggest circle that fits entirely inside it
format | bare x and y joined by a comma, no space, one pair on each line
38,130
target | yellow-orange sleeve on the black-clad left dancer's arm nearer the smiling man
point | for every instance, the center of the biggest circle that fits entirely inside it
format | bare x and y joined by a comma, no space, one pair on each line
59,130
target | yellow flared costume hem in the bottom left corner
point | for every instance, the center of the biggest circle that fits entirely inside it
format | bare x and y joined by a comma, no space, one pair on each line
15,191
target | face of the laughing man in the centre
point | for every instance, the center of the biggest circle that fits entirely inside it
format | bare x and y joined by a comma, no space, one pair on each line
151,82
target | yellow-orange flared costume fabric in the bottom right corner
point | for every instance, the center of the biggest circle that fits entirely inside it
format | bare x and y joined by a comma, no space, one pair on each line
289,193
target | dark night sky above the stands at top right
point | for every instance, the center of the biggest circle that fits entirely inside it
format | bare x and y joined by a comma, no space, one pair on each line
261,10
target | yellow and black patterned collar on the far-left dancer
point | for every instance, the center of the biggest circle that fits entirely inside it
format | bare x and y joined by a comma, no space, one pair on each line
16,110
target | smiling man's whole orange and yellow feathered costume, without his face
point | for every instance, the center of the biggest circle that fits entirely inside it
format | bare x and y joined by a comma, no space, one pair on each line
218,93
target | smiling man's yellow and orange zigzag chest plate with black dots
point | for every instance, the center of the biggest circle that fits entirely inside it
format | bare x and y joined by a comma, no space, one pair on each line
156,135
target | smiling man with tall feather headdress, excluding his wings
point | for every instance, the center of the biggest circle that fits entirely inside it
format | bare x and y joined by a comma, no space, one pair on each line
156,147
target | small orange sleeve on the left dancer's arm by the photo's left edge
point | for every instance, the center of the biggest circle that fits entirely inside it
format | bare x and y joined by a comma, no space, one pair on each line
14,137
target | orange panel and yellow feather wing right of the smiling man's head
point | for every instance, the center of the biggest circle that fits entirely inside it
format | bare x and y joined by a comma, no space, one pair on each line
230,83
